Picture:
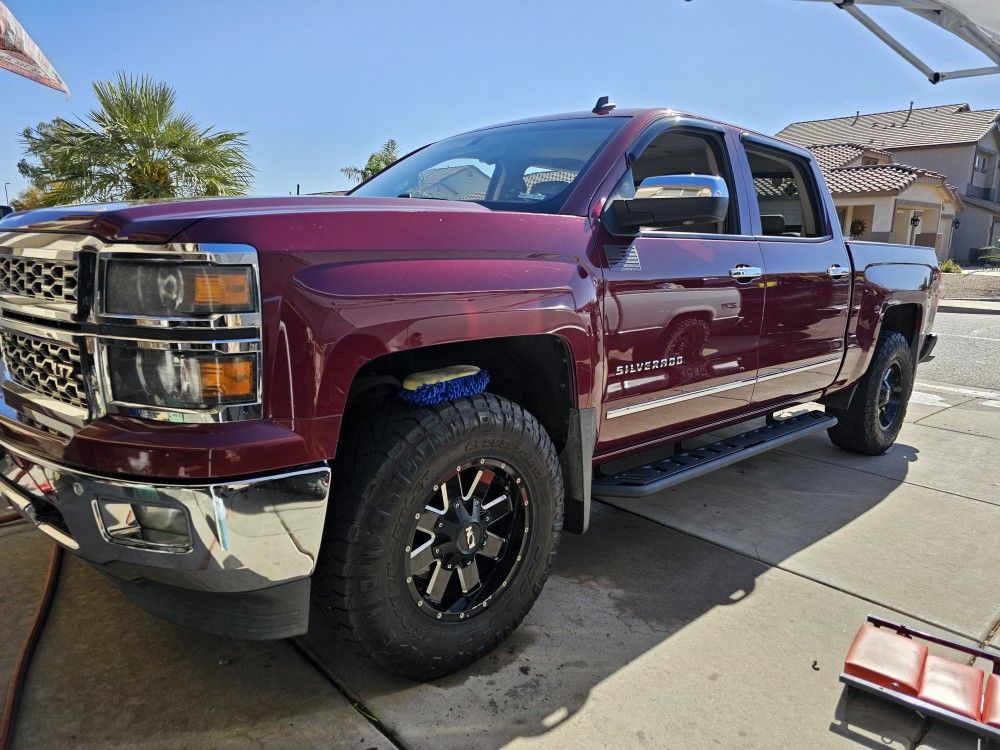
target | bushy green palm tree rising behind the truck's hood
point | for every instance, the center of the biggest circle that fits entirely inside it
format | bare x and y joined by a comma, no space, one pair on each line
133,146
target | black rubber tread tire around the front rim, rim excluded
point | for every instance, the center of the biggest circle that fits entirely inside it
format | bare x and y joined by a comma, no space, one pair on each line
383,472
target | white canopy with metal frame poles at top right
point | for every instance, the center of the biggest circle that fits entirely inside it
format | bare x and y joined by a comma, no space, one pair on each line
974,21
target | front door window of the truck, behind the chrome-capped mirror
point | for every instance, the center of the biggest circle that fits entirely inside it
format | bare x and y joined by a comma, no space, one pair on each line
684,151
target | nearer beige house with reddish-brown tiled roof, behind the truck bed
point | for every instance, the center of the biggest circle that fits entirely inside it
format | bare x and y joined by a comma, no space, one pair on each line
880,200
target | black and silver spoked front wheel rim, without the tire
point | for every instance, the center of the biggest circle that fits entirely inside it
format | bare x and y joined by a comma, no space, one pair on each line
468,542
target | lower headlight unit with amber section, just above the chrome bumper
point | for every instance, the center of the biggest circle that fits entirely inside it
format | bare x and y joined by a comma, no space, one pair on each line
181,379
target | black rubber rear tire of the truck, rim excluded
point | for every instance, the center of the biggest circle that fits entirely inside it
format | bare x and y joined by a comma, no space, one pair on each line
859,428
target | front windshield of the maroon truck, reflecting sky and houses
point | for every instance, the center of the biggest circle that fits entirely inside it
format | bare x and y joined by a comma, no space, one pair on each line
527,167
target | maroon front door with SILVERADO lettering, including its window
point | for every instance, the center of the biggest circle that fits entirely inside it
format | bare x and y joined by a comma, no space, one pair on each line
682,310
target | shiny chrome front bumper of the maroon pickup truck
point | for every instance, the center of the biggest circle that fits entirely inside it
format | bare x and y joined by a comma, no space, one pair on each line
240,536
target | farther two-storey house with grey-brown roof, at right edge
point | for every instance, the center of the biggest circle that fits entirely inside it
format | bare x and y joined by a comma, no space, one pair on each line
952,140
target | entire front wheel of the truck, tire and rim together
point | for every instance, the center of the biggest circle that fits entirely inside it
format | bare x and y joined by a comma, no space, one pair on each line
447,520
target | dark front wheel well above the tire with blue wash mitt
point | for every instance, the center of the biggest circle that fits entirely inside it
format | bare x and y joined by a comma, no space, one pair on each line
535,372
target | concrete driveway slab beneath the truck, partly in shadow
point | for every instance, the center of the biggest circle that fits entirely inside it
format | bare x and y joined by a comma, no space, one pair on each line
716,613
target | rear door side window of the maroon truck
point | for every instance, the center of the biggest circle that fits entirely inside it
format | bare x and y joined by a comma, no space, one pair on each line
787,196
